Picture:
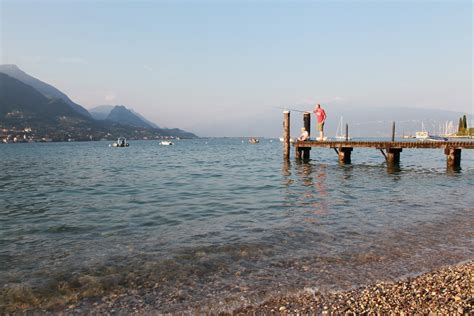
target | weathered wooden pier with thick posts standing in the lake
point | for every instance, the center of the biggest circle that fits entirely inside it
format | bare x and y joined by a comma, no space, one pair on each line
390,149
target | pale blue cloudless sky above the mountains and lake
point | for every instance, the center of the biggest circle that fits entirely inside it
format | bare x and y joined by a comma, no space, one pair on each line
202,65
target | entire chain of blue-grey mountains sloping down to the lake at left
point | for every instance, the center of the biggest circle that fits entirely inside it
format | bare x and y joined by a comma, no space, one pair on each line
26,102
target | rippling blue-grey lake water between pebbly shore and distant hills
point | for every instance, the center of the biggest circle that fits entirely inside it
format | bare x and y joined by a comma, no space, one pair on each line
221,222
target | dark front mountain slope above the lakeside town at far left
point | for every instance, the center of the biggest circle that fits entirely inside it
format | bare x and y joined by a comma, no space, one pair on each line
20,102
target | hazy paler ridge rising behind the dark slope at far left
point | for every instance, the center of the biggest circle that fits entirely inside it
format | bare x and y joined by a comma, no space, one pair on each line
46,89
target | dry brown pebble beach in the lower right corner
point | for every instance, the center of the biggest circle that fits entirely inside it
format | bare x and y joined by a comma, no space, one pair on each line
449,290
